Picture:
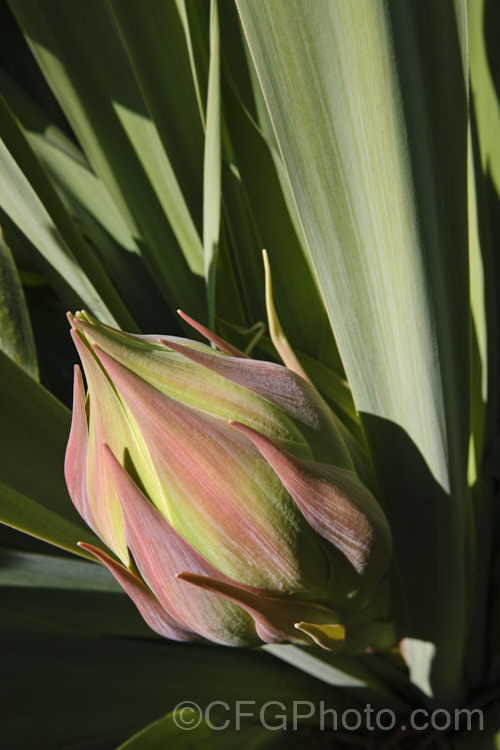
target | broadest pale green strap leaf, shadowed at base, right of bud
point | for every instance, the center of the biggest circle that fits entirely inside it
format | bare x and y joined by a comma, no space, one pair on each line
369,105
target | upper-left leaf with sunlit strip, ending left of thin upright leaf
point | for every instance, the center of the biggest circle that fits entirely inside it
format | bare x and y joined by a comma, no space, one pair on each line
83,58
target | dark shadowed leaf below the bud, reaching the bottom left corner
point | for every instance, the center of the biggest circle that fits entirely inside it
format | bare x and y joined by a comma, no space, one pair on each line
107,688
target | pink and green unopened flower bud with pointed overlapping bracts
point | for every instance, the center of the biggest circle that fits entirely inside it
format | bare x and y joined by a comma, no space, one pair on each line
224,488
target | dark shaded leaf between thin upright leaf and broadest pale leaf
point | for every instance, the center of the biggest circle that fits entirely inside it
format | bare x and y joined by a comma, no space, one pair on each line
299,304
